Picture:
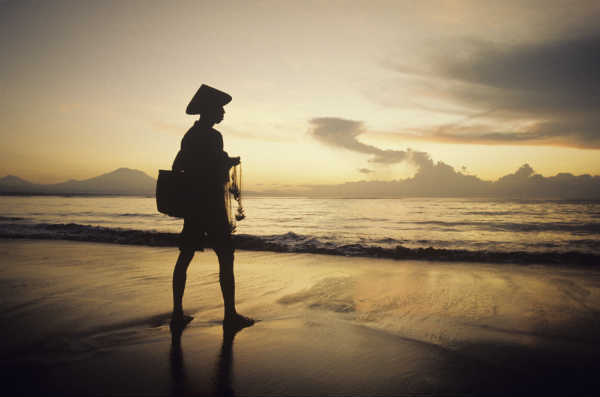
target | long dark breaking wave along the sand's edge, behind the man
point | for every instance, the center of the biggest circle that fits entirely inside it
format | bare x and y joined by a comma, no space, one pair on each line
291,242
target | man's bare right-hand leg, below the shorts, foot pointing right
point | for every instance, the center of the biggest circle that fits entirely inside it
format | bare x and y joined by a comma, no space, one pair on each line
226,279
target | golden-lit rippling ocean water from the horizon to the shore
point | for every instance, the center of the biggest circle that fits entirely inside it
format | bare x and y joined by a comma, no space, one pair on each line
339,226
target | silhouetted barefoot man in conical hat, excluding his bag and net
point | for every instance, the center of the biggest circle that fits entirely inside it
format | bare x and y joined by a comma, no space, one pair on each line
206,168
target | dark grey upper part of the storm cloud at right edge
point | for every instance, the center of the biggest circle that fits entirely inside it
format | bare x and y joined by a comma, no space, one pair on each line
541,77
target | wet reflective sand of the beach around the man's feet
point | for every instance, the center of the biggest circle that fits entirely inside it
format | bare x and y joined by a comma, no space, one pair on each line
92,319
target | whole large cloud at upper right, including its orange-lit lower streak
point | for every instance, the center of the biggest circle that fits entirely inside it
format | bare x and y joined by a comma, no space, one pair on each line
544,93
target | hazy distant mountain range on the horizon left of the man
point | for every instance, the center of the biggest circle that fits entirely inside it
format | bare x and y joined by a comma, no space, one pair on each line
123,181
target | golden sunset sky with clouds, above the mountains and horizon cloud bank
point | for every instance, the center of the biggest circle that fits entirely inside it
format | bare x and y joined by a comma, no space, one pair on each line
324,92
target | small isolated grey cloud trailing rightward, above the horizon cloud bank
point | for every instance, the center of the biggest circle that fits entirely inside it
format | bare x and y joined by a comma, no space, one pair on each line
343,133
